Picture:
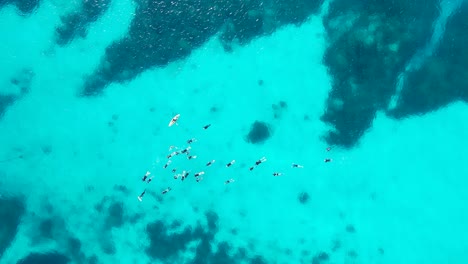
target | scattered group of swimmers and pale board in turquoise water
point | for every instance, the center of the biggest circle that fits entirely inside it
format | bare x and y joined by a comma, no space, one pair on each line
199,175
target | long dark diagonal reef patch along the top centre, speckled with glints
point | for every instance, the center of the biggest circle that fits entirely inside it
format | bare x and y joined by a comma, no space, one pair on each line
165,31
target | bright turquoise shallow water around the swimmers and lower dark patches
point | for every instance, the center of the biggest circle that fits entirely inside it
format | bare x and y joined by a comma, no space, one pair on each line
71,165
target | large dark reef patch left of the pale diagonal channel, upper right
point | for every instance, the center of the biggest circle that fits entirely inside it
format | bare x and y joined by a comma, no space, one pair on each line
371,42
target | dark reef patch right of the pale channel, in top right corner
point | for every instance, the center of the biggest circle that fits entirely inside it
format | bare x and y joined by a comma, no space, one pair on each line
442,78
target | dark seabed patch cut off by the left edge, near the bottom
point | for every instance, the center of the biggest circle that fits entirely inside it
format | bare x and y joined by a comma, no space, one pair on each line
11,212
